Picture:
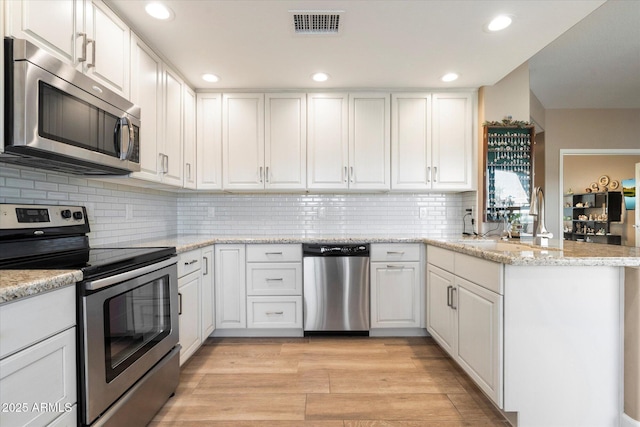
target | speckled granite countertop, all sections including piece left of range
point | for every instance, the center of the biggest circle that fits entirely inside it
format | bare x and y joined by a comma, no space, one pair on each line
15,284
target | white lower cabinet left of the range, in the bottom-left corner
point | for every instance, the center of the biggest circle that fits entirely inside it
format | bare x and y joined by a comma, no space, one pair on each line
38,360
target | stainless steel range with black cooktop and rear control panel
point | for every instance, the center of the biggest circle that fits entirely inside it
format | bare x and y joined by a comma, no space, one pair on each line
127,307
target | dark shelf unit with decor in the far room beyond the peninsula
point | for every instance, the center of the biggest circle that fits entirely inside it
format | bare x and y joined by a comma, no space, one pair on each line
588,217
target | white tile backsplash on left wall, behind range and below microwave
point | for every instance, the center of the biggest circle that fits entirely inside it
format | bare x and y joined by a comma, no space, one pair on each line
154,212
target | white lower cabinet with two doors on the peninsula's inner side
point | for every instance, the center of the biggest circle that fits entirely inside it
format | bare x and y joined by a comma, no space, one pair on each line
466,318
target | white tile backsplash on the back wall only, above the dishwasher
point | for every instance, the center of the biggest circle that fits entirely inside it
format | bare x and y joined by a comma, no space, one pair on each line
324,214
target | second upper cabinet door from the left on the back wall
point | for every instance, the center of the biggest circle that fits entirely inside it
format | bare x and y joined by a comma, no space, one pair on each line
243,141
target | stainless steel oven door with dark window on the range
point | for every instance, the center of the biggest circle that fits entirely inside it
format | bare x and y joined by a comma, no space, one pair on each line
128,327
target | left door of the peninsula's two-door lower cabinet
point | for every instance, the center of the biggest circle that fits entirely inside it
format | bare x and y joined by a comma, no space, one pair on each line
441,318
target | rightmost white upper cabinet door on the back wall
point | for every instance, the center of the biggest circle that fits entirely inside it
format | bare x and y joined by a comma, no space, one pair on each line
452,149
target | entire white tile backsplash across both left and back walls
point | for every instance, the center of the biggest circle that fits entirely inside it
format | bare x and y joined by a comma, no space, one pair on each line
119,213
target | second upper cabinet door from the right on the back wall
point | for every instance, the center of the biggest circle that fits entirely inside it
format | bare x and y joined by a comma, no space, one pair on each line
411,142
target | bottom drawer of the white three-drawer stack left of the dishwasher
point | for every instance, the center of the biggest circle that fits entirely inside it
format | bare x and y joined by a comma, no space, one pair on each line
274,312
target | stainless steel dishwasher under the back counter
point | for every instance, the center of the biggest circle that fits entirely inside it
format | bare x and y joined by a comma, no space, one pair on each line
336,288
